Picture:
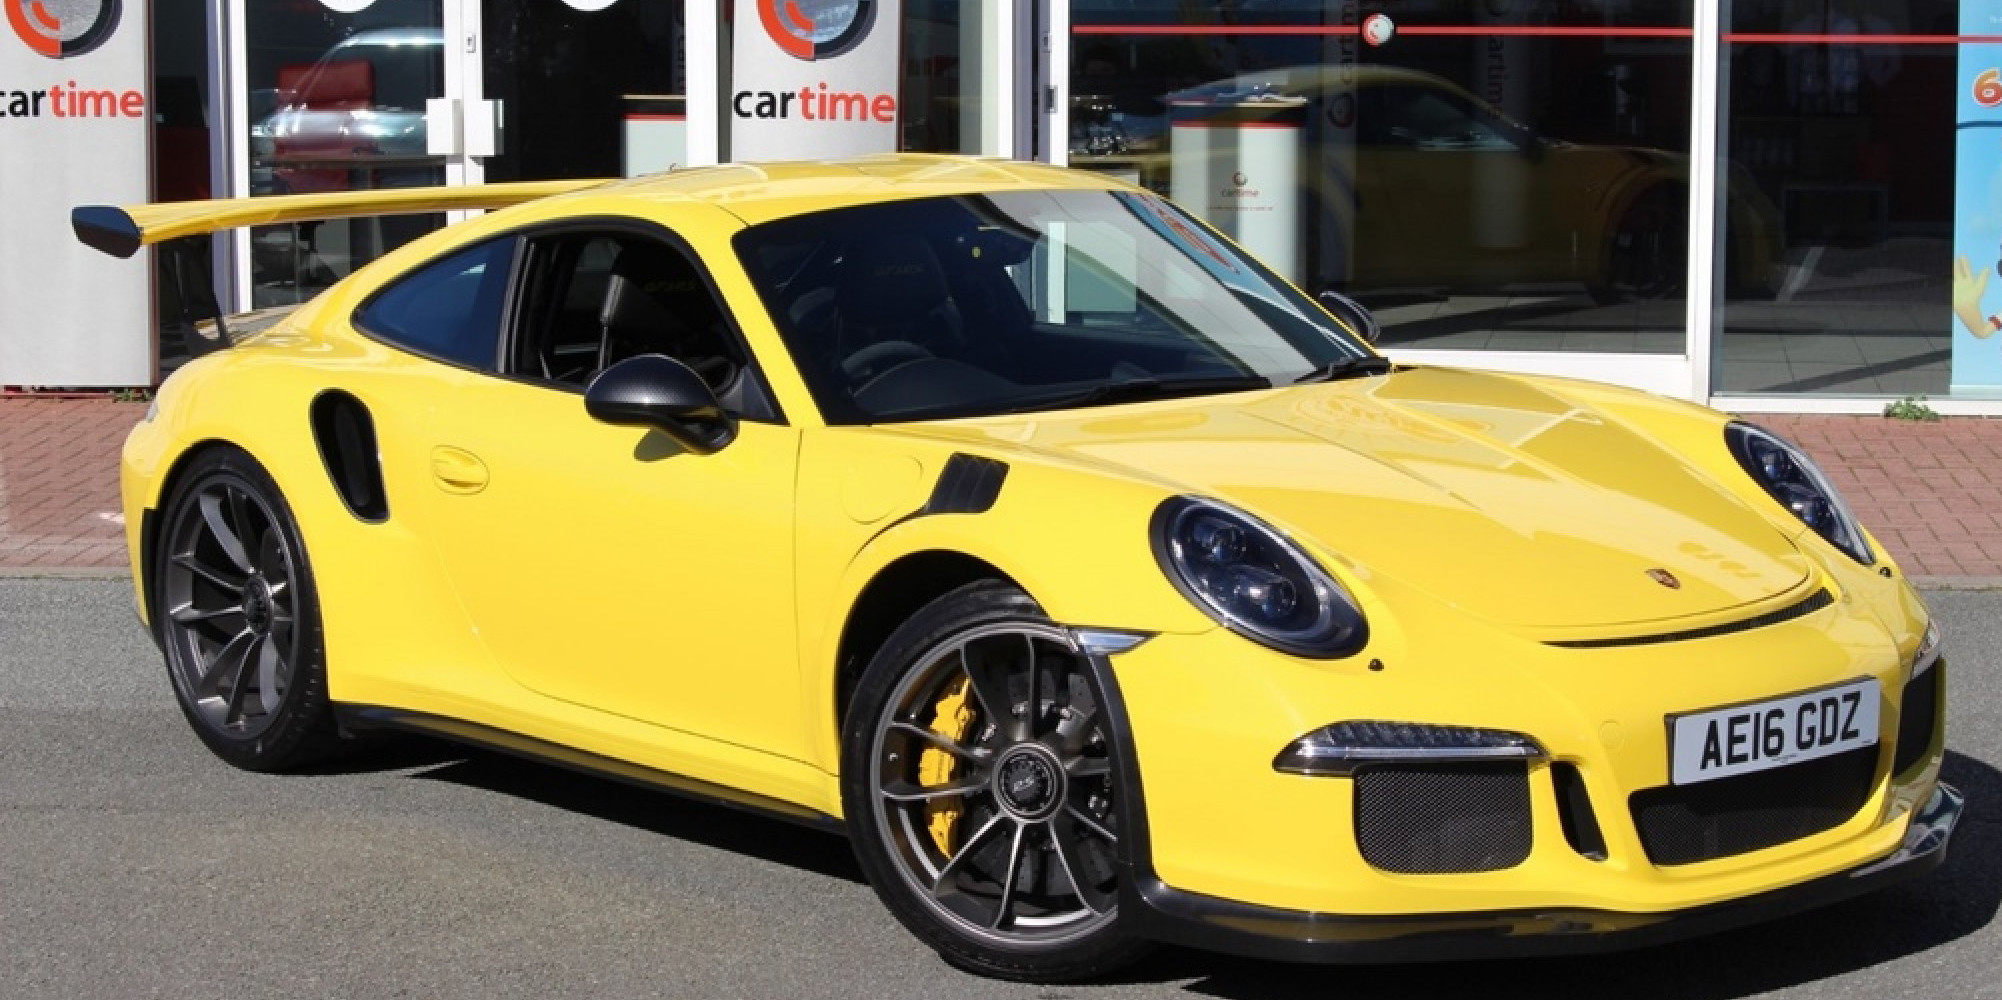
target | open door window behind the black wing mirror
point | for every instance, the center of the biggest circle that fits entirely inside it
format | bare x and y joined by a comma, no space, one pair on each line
600,299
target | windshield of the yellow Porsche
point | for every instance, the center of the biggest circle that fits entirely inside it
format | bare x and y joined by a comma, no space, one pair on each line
1026,301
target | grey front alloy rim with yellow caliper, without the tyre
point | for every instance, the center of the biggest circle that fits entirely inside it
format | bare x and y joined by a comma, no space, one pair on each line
994,789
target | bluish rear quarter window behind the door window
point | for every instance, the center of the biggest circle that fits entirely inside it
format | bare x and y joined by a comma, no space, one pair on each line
447,311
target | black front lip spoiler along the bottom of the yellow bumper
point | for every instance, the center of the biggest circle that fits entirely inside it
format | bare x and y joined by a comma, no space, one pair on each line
1208,923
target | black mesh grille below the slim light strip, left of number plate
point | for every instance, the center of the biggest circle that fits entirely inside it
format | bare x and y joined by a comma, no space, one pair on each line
1432,819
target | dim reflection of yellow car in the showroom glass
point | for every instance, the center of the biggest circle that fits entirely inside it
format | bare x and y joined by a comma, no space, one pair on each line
1412,181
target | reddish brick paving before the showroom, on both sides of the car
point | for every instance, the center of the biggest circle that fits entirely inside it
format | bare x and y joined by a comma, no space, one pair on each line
1931,493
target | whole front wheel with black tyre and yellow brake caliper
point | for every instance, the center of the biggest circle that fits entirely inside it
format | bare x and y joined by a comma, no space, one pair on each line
984,795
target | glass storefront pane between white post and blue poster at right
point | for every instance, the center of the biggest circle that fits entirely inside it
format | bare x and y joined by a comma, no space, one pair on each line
1841,121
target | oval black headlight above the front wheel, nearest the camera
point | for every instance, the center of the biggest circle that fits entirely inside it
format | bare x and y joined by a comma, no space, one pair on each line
1252,581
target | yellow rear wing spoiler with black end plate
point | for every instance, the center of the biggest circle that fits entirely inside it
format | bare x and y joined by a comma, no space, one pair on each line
123,231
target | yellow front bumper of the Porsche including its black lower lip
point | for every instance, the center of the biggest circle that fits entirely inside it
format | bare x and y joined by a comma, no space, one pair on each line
1226,851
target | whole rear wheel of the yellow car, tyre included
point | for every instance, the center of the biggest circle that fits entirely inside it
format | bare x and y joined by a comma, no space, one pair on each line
239,619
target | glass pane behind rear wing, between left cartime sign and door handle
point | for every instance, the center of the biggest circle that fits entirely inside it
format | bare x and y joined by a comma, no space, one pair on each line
337,103
